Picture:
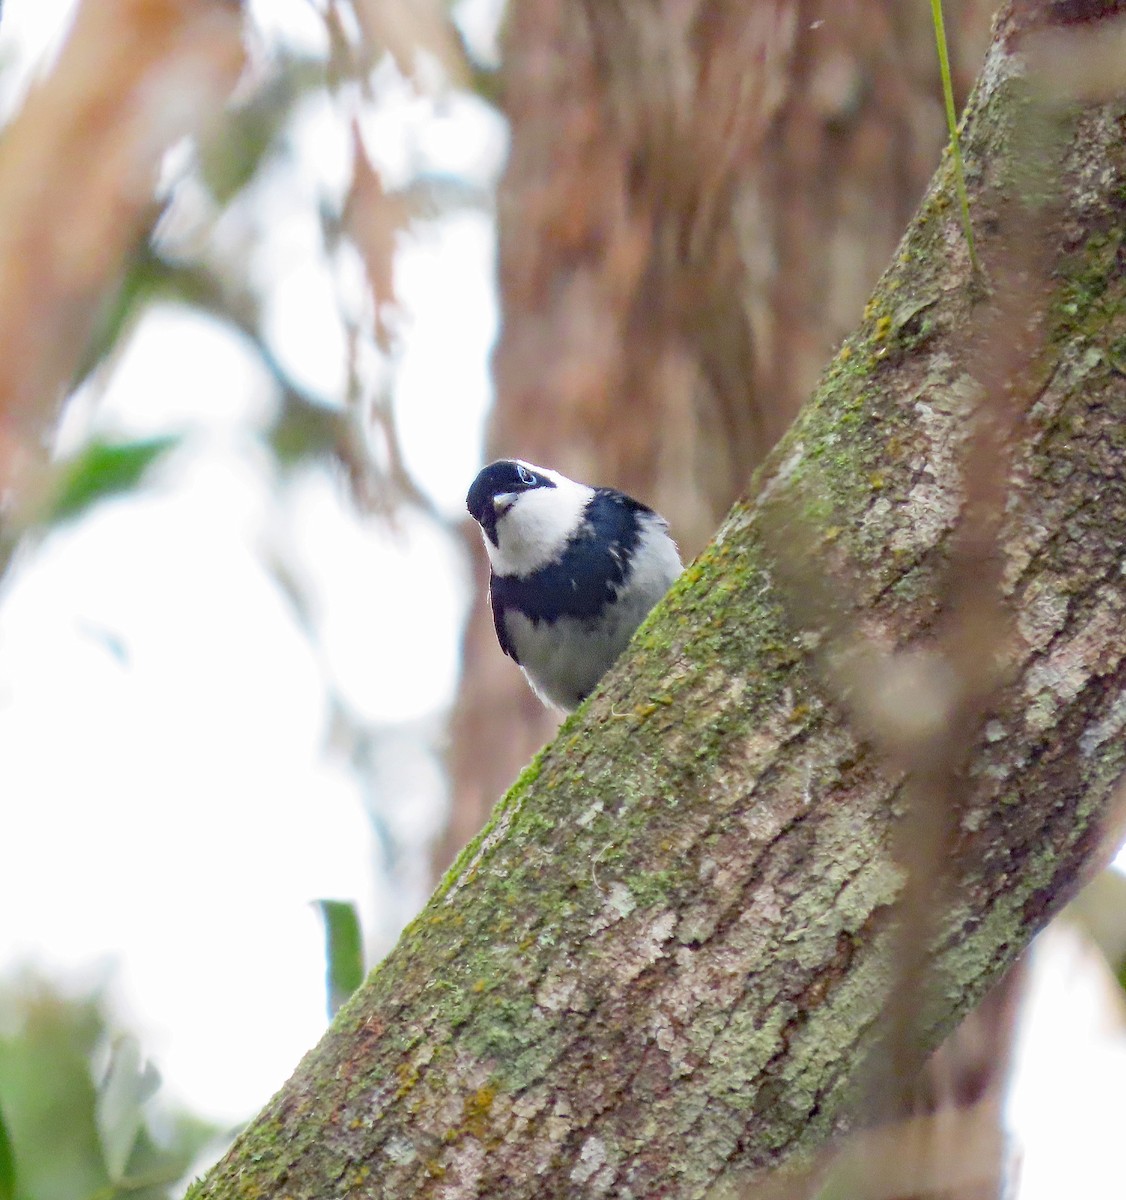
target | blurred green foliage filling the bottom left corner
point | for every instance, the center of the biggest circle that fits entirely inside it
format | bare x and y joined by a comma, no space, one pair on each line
77,1103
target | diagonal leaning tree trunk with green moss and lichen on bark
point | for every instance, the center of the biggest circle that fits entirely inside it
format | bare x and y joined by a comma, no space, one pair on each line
668,956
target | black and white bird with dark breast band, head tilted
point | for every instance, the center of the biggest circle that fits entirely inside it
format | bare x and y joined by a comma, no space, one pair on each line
576,571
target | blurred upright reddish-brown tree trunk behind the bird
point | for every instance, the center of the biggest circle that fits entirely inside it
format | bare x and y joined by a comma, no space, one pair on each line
681,255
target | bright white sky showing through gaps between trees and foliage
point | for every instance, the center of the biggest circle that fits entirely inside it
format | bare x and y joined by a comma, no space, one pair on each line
170,805
